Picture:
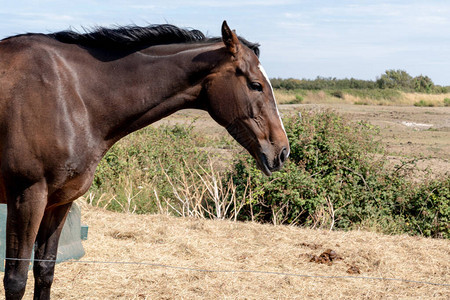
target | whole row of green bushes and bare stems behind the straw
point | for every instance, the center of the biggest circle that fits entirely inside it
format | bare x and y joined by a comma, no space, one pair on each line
337,177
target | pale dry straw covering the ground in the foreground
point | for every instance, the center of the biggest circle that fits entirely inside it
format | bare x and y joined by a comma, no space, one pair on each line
226,245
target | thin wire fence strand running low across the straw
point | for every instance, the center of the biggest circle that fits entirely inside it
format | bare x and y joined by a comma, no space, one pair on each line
156,265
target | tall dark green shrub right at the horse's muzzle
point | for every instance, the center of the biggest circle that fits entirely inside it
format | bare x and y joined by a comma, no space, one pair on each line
327,154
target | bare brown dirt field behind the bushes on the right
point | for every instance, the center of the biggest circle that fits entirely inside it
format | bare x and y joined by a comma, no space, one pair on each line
407,130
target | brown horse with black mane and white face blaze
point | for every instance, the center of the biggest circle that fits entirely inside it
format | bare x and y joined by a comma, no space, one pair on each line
66,98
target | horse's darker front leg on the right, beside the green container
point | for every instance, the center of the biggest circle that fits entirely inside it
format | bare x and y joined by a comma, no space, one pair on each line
46,249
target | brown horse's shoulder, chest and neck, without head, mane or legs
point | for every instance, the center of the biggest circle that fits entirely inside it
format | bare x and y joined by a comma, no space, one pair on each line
77,125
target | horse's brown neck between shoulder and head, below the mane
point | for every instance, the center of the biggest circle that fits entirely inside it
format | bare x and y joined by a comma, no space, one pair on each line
153,84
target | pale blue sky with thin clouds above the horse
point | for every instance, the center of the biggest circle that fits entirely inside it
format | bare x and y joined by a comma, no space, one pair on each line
300,39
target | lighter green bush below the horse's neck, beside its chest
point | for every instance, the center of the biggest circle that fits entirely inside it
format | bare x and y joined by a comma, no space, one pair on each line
139,165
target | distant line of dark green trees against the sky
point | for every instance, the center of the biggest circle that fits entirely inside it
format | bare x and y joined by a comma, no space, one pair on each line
391,79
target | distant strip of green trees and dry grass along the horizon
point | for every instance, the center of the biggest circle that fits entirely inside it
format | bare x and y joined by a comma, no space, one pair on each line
394,87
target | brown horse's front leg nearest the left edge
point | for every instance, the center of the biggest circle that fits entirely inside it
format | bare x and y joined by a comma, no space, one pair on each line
25,207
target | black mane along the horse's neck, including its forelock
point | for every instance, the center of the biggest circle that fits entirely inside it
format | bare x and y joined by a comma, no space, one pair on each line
135,37
